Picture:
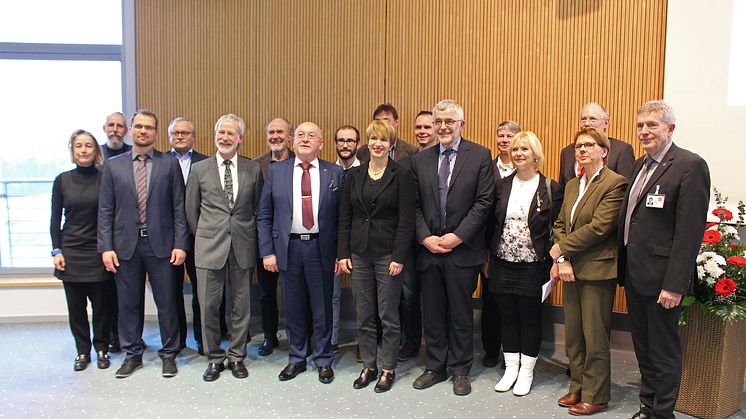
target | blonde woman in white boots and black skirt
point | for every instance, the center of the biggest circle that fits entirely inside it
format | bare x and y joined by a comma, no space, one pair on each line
526,206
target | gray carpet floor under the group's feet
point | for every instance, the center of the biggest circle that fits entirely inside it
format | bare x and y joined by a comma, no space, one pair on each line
38,381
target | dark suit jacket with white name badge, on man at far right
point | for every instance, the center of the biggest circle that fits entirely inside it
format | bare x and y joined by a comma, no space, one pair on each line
664,242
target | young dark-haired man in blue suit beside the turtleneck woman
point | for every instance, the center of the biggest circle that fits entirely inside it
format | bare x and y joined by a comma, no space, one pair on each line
142,229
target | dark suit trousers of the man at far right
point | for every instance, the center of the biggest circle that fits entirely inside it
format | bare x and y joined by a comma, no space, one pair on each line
655,336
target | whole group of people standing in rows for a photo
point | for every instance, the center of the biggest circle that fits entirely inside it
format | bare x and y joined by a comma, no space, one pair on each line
413,227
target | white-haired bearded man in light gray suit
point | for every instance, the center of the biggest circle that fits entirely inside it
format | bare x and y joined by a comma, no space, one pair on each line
222,198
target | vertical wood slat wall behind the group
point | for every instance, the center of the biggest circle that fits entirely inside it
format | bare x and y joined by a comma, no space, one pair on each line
533,61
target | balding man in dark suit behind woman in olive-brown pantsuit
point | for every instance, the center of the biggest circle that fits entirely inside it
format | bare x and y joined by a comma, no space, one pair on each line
621,155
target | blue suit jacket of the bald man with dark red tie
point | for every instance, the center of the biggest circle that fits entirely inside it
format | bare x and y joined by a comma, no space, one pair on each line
274,219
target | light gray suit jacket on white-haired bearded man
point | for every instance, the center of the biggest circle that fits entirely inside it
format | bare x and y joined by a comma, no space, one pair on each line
217,227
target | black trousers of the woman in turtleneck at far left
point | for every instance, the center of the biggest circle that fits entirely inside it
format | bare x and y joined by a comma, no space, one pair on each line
102,297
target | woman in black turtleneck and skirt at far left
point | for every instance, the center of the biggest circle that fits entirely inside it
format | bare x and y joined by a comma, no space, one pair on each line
76,260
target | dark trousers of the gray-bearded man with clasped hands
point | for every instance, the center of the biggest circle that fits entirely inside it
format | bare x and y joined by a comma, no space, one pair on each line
447,314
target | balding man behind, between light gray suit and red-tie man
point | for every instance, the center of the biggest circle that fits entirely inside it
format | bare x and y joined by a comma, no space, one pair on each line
279,133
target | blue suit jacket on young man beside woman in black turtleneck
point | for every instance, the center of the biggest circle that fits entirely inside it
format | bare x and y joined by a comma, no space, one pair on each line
118,216
